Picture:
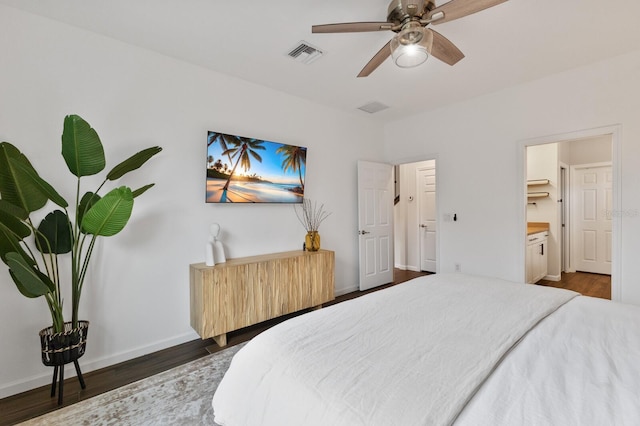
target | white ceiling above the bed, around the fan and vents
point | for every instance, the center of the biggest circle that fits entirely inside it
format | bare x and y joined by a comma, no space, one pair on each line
512,43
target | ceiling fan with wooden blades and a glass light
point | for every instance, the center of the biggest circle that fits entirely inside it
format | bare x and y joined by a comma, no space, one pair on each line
413,42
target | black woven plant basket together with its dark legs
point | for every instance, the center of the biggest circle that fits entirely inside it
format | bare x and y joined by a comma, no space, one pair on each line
62,348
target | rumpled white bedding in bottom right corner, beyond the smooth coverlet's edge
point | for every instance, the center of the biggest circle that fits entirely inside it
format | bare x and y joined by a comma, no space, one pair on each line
580,366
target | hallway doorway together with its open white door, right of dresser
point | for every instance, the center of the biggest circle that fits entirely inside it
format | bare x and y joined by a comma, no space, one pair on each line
397,220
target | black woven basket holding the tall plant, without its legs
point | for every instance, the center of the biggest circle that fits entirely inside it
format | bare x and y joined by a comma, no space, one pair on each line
64,347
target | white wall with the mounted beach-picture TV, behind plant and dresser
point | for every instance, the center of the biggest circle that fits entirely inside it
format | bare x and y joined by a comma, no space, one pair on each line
137,297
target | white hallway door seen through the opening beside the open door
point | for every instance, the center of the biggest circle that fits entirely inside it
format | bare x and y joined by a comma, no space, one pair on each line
427,217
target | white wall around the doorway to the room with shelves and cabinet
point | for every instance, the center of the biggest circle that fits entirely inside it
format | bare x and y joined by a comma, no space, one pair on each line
480,167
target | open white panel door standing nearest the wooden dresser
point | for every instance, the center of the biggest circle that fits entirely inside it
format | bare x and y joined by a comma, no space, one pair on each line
375,223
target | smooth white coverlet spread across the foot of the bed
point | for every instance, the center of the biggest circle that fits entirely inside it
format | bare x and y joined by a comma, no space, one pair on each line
413,354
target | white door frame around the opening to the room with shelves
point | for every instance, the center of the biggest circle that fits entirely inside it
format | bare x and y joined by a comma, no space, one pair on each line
615,131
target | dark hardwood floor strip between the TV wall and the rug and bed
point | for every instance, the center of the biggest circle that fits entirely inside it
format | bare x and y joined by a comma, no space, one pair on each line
33,403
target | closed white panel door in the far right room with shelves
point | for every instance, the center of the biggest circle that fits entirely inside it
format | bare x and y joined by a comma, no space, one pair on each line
592,212
